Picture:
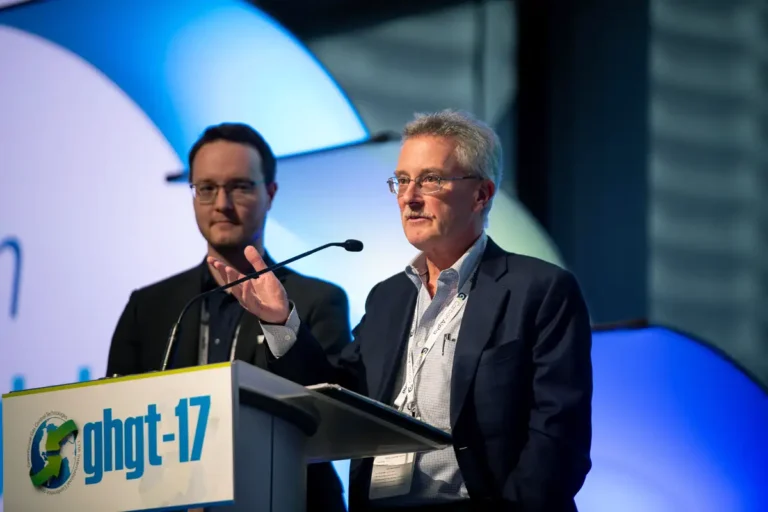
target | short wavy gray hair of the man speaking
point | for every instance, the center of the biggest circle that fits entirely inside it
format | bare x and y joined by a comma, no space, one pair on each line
478,147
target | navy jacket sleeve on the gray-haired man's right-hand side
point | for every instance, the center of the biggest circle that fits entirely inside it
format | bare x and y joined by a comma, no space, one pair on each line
555,460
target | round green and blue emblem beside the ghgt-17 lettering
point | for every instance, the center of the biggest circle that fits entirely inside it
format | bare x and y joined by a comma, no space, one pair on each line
53,453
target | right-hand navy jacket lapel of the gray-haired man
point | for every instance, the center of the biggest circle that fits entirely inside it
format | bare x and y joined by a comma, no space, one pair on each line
484,306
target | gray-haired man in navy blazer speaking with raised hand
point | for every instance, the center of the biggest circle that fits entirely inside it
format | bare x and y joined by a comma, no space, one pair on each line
491,346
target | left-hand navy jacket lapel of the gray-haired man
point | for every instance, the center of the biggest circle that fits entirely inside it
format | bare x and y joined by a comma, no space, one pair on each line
394,337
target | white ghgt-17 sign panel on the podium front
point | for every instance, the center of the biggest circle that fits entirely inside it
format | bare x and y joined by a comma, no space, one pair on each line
134,443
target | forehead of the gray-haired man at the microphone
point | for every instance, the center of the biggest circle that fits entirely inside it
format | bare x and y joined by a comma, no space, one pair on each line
427,153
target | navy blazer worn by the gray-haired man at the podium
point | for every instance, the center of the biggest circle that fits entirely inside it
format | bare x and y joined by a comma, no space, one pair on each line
521,386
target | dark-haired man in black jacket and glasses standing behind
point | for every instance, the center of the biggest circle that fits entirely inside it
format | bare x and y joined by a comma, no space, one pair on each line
232,176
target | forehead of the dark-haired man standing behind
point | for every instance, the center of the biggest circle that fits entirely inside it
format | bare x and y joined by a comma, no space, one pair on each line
225,160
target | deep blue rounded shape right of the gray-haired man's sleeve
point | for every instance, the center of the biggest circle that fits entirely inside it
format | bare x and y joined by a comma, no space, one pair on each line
677,426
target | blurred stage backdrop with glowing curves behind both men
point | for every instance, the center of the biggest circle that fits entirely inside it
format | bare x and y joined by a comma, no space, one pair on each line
634,137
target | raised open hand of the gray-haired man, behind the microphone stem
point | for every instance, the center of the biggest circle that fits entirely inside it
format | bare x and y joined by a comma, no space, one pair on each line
264,297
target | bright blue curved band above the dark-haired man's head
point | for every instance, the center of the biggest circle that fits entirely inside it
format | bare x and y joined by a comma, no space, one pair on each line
192,64
